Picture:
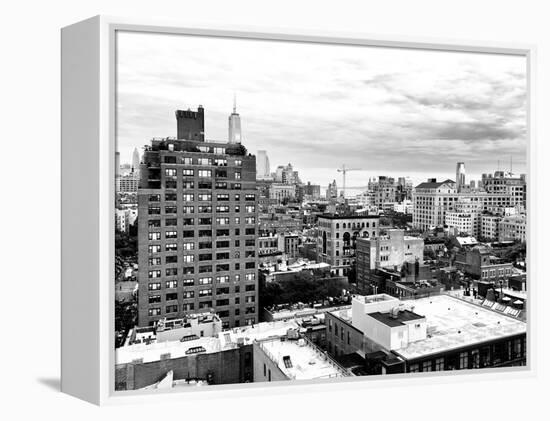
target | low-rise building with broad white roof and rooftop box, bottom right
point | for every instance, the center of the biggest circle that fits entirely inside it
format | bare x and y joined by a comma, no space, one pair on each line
436,333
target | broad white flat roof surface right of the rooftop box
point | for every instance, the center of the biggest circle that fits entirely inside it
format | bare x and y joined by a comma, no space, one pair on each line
454,323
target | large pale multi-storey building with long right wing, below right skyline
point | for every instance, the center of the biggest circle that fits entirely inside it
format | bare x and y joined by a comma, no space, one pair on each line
433,199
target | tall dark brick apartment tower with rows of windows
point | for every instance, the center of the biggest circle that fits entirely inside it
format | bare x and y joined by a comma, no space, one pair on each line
197,234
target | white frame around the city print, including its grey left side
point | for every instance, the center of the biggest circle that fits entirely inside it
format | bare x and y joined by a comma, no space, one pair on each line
88,146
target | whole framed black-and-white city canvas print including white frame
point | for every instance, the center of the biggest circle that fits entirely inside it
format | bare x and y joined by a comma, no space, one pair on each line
250,210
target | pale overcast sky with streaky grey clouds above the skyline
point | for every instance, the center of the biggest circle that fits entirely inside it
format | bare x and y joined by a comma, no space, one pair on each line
394,112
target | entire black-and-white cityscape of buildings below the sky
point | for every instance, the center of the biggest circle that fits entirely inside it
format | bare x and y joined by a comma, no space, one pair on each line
229,270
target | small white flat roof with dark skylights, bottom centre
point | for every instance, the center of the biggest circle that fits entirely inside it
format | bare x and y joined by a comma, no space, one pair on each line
300,361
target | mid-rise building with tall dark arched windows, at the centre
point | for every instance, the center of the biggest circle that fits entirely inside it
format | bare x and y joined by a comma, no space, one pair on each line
337,237
